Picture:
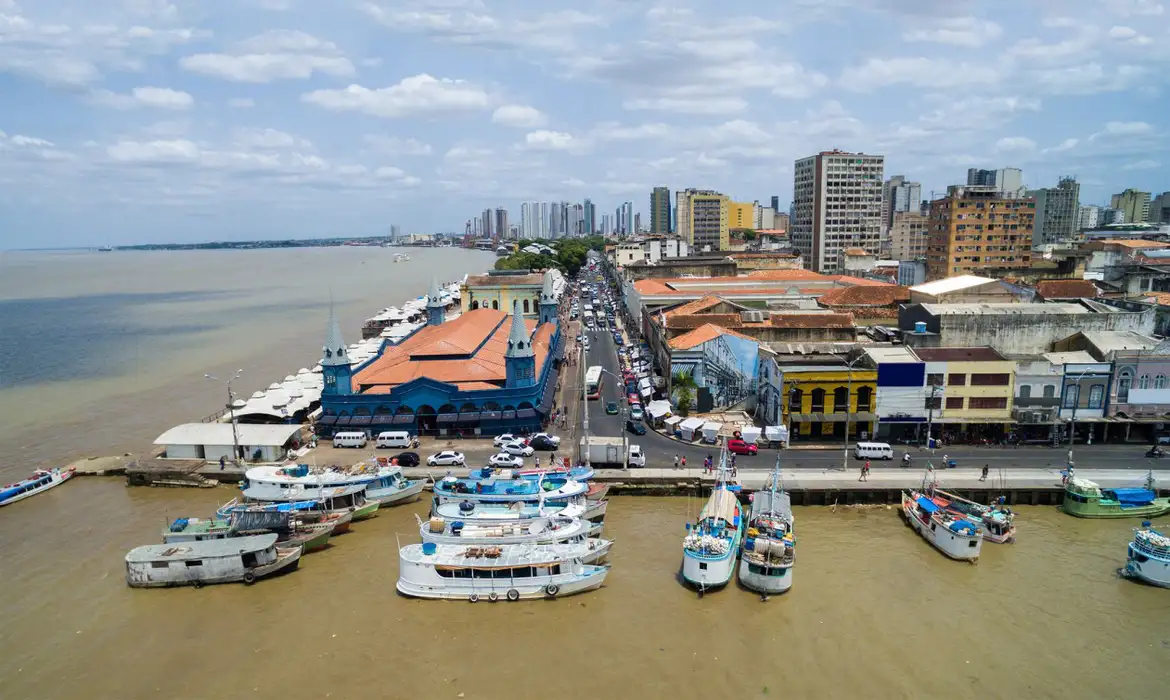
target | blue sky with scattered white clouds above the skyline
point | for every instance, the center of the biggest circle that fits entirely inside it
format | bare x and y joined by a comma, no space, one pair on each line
159,121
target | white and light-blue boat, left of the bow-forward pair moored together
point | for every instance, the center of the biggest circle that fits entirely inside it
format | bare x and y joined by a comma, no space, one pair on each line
712,545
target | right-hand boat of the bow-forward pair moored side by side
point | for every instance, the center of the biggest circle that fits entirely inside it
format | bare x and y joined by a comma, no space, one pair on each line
769,548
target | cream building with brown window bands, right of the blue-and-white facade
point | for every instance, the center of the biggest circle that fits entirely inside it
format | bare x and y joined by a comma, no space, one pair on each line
975,392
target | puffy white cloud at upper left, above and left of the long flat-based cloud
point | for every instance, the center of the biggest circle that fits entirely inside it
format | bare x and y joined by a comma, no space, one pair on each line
272,57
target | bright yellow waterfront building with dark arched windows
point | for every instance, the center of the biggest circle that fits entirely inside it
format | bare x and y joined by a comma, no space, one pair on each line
822,399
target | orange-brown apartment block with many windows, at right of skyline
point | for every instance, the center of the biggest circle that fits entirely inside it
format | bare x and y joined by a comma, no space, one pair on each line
978,228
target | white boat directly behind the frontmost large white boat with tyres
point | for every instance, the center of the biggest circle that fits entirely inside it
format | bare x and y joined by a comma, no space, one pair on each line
539,531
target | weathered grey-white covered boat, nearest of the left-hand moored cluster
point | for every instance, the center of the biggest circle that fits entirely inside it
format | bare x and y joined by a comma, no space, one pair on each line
228,560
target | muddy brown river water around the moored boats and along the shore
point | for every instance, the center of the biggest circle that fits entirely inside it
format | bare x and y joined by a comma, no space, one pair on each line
101,353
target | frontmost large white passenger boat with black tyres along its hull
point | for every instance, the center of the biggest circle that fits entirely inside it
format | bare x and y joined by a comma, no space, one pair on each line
508,572
